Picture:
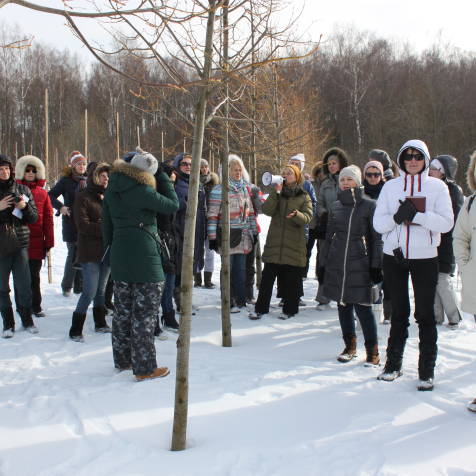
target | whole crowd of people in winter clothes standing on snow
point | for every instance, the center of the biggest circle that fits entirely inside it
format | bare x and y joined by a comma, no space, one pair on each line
124,229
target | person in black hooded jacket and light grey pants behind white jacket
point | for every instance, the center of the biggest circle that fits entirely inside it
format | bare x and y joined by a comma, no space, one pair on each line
444,167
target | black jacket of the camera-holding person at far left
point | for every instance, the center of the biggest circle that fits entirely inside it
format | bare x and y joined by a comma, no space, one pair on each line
30,213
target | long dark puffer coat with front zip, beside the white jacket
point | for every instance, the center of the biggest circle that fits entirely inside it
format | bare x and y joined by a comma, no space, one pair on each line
351,248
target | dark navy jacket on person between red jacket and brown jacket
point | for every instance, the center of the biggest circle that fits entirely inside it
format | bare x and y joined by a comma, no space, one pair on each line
67,186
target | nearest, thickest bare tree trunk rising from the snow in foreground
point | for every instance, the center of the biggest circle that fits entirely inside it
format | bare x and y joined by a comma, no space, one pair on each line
179,435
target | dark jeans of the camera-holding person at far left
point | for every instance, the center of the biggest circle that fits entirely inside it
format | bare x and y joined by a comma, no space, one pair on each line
17,265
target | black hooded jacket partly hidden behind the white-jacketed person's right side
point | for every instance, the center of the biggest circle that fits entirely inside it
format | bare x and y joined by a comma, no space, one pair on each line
446,257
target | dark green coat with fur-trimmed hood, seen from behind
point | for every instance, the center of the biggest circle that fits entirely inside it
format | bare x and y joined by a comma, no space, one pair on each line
130,200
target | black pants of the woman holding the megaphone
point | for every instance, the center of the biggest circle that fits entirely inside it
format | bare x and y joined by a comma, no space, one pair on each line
291,280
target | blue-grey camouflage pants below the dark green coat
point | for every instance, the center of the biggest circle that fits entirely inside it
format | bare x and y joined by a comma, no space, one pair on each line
133,325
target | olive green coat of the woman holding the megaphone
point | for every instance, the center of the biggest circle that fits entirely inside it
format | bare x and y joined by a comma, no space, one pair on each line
286,240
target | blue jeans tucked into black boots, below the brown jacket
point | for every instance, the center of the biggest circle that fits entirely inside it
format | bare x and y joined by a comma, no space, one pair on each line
95,277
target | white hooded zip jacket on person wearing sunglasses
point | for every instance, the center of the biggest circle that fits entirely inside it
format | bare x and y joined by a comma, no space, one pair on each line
416,242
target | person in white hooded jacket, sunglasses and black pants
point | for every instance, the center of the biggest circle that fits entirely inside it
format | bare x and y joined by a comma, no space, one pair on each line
412,211
